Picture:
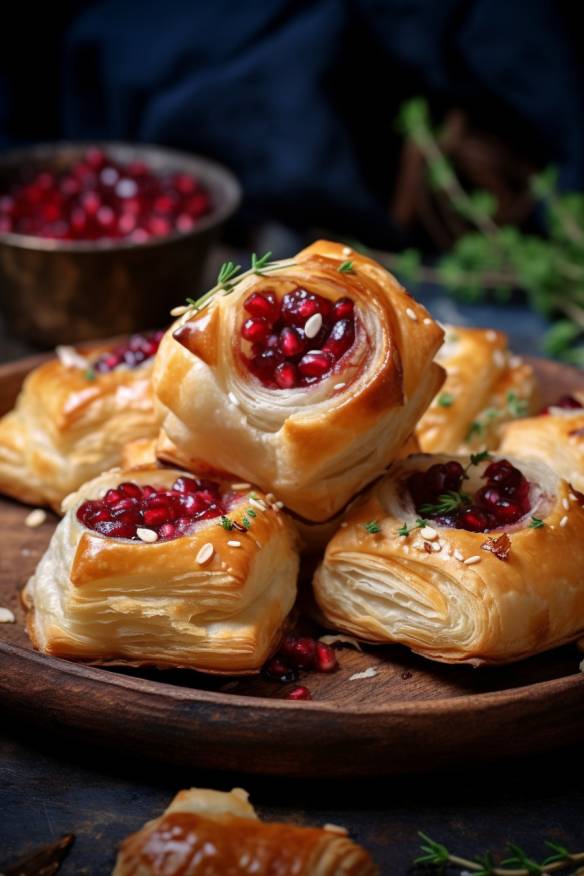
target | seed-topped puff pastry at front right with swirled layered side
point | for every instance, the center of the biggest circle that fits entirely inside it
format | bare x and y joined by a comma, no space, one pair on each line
449,593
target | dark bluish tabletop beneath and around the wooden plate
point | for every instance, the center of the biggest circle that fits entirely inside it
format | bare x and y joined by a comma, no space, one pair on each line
48,789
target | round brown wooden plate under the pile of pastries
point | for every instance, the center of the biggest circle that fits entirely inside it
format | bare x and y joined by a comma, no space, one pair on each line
412,715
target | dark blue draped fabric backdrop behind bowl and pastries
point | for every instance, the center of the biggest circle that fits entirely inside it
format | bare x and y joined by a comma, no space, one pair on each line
298,98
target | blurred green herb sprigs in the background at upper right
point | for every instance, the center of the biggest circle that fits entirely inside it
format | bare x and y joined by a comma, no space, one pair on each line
489,256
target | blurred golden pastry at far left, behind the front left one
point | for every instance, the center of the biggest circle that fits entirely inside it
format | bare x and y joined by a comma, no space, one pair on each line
73,417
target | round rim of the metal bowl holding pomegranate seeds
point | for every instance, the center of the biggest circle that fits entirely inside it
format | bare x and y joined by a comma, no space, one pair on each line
204,168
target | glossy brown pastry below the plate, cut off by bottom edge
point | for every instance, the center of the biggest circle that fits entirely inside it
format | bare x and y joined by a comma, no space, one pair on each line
212,833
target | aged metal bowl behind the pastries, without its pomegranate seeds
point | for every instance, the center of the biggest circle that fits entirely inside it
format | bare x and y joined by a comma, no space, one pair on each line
54,291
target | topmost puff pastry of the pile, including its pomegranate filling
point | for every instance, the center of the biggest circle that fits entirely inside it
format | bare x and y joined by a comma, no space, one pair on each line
314,399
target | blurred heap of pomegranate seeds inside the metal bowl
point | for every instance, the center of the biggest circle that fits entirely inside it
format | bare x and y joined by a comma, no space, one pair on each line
99,197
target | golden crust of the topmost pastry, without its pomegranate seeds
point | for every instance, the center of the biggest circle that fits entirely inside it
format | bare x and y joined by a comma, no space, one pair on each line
220,416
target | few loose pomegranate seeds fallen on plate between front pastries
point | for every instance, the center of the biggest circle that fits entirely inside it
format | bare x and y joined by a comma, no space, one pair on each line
300,653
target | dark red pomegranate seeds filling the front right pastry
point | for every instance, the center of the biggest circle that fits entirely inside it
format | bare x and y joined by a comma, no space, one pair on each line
503,500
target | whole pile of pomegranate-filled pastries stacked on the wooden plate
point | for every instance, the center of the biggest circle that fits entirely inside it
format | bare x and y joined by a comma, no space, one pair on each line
290,399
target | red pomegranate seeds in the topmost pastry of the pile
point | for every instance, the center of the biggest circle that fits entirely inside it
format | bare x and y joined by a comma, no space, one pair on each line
296,341
